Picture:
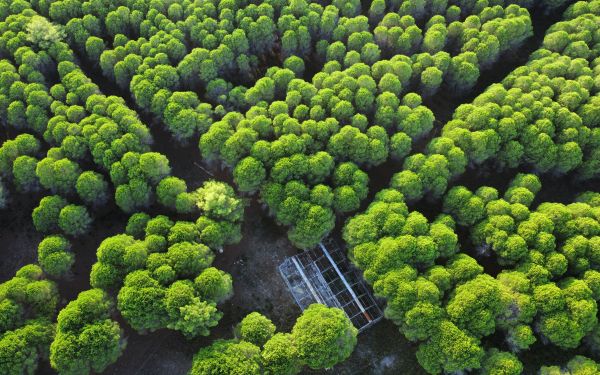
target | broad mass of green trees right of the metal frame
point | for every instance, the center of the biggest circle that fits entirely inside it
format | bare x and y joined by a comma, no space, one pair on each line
543,290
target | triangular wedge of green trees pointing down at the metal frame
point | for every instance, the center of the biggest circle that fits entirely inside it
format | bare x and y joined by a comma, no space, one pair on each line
298,99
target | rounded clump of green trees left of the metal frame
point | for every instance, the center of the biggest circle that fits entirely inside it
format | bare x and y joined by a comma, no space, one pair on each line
163,276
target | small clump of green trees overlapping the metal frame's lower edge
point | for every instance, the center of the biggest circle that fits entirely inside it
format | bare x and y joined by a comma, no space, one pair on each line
320,338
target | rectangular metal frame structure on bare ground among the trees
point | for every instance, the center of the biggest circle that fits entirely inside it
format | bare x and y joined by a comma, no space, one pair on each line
324,275
